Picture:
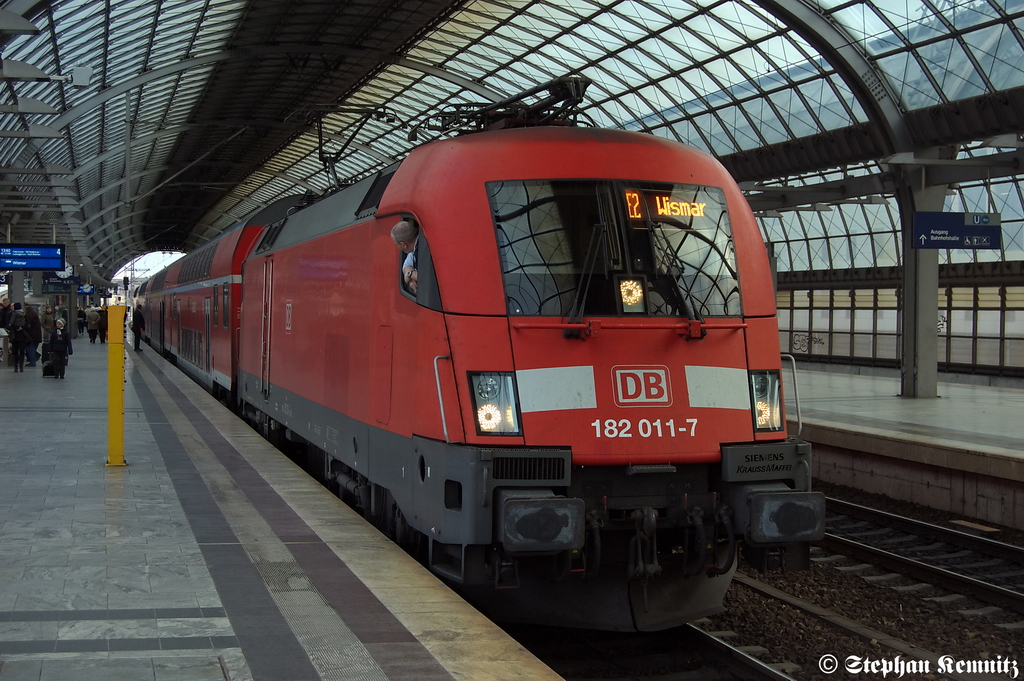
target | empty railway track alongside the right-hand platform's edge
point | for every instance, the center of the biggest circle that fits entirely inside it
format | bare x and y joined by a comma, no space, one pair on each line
961,564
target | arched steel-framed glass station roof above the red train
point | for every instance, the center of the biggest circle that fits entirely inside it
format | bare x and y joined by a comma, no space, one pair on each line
761,86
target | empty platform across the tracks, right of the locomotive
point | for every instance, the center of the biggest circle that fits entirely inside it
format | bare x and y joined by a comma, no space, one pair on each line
962,452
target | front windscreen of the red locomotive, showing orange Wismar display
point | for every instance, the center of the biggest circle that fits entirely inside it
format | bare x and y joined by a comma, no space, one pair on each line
571,248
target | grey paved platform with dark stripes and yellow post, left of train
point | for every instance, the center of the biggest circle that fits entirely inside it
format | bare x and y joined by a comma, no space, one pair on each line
209,557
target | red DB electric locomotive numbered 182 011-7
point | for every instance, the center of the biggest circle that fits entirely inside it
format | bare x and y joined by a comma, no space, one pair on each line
578,413
